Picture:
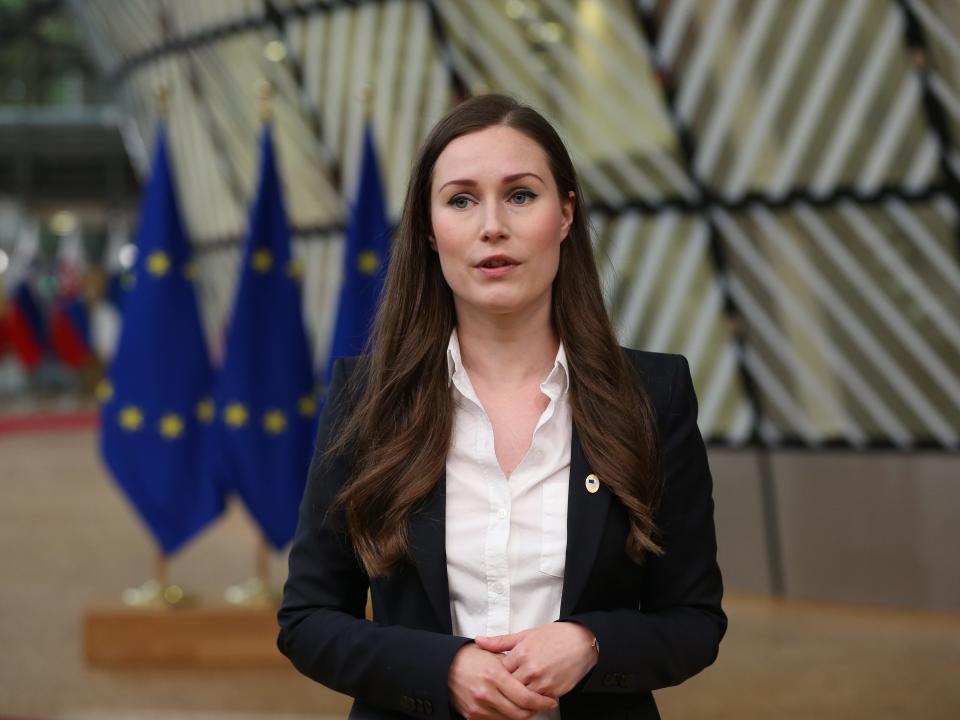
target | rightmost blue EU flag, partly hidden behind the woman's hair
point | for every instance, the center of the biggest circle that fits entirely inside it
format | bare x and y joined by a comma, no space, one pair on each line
365,257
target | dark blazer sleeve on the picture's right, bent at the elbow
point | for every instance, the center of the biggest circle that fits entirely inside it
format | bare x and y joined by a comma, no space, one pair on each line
677,630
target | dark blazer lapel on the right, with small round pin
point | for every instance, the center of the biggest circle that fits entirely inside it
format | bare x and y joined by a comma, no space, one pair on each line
586,516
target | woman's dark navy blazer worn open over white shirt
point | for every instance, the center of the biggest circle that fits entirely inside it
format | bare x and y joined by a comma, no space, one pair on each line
657,623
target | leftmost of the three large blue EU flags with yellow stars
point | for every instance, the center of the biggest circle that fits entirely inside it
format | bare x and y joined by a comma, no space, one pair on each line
156,405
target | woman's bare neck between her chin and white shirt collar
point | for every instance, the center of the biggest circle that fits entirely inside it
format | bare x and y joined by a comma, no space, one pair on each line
507,349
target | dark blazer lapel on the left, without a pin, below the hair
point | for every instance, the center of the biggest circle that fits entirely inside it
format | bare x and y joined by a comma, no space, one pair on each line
428,540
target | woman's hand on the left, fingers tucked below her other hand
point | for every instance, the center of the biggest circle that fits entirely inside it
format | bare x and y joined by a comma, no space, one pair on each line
482,689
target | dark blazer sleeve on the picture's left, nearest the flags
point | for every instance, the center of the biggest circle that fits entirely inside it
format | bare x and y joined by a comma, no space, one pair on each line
323,629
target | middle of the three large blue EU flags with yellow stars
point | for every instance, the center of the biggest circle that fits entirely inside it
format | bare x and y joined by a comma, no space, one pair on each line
265,400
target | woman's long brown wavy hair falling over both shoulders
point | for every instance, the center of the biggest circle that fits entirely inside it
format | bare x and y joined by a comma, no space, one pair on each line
399,431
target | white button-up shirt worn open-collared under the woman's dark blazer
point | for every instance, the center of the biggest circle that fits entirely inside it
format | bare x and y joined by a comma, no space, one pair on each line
506,539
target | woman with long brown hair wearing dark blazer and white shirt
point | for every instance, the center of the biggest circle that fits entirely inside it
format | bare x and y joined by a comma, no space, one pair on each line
528,503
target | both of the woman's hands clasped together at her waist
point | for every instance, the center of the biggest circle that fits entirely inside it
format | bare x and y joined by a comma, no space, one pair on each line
515,676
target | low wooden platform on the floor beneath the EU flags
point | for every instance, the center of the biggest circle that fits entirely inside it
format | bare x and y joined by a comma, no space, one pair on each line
183,637
